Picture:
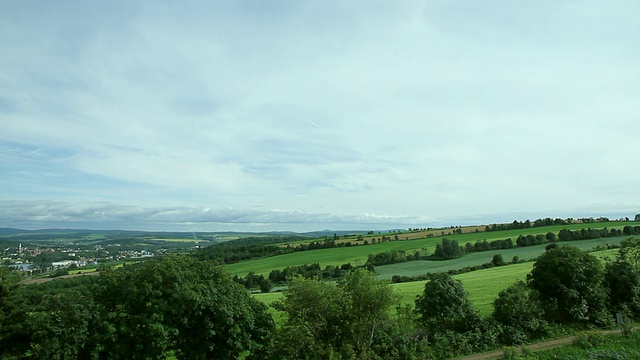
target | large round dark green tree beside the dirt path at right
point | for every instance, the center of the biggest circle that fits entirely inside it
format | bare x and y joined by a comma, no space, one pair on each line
569,282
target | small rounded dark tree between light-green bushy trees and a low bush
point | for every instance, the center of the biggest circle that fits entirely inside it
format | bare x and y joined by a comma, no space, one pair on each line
444,305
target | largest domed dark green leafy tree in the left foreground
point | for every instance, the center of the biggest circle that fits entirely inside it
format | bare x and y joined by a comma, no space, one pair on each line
180,305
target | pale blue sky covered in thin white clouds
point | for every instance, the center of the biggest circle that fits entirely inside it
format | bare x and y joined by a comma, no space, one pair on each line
310,115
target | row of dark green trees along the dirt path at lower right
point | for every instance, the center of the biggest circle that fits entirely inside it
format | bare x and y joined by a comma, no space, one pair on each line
567,287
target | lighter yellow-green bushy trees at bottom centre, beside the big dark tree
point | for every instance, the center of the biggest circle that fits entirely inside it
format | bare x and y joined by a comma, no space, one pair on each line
349,319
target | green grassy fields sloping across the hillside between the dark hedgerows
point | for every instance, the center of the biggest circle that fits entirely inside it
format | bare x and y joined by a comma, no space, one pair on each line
483,285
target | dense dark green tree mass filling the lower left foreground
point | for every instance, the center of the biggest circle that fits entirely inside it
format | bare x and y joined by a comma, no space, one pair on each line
175,305
